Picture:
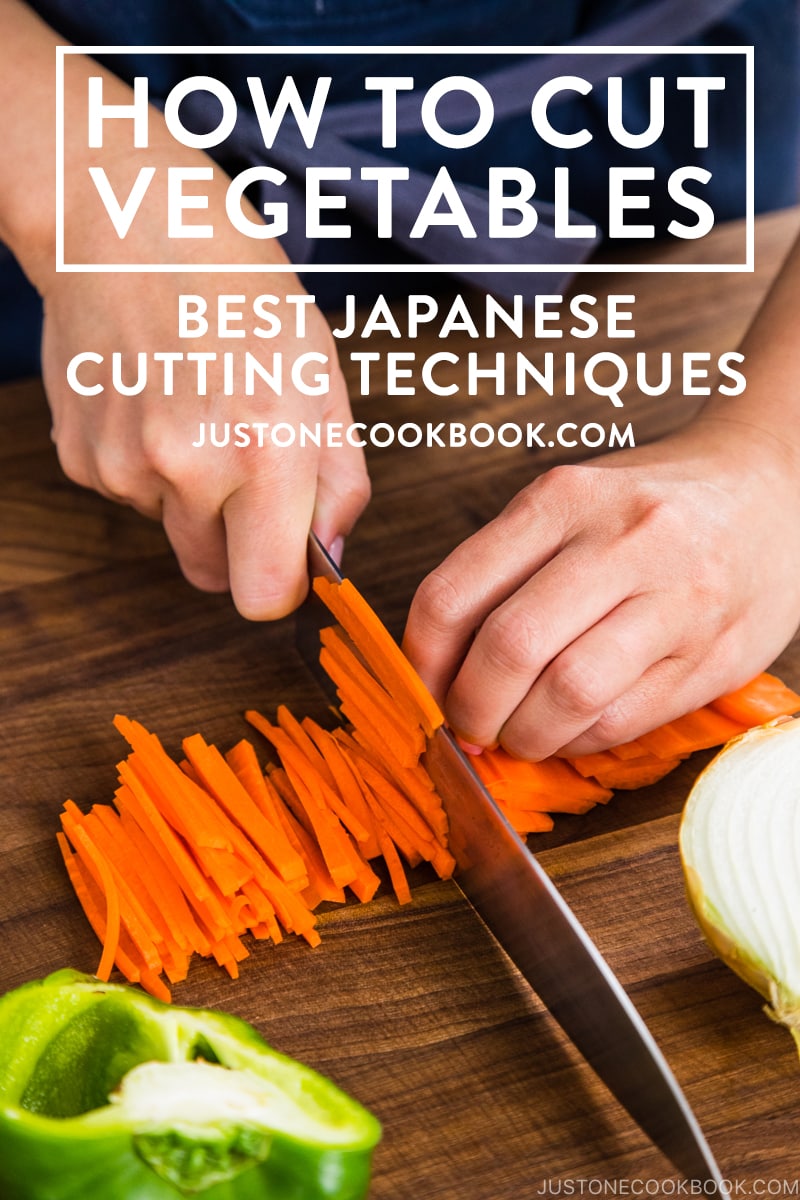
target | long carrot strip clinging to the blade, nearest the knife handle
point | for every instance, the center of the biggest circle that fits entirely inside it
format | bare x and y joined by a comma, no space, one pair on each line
381,652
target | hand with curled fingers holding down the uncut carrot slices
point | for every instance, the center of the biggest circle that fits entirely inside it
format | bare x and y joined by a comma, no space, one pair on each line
613,597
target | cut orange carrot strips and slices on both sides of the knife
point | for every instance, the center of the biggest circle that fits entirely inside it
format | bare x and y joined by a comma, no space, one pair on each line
195,855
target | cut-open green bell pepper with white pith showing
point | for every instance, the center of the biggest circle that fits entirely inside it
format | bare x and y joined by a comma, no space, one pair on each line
107,1094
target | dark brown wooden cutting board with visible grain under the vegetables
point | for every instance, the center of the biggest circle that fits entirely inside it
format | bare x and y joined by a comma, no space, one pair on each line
416,1011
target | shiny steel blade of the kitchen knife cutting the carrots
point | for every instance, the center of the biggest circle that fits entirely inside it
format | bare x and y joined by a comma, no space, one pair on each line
525,913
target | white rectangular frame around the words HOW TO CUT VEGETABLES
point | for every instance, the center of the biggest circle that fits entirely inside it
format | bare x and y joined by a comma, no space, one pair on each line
416,268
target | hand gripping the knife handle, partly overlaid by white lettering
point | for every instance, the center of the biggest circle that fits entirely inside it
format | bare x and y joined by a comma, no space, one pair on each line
237,517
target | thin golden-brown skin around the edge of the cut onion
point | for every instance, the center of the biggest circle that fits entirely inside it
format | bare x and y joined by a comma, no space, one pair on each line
784,1006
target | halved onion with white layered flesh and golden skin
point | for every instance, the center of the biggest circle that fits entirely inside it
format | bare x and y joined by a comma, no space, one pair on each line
741,849
